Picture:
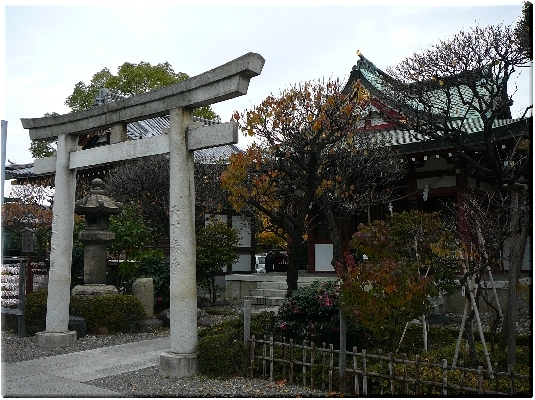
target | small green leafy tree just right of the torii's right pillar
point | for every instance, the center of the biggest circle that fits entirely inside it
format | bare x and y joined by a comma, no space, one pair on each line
216,249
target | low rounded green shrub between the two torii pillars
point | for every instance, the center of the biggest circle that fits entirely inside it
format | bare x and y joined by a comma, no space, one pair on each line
116,312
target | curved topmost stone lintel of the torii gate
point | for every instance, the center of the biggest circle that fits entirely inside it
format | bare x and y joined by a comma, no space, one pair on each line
221,83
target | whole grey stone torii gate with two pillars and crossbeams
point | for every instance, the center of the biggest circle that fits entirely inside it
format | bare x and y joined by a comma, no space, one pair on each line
224,82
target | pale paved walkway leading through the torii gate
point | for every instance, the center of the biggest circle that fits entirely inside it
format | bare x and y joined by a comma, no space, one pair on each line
64,375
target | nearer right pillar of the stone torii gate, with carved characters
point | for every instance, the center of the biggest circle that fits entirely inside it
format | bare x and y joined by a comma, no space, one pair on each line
181,360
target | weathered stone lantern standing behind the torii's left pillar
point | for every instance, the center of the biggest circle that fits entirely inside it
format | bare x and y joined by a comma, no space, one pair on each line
97,208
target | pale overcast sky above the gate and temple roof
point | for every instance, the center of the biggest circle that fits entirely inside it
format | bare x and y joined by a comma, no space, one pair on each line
49,49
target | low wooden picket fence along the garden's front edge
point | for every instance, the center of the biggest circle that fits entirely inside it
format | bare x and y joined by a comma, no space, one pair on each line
375,374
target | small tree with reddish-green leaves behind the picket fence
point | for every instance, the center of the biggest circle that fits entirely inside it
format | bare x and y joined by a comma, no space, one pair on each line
397,265
